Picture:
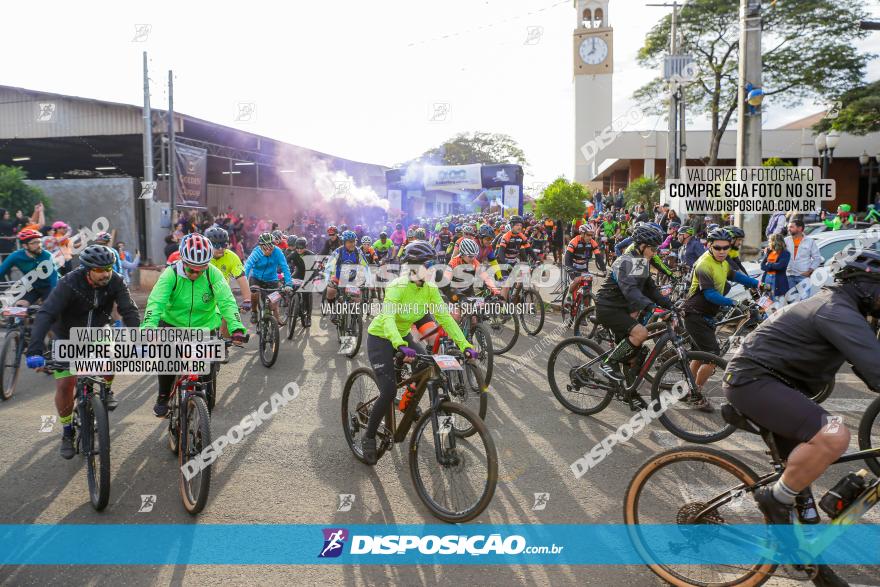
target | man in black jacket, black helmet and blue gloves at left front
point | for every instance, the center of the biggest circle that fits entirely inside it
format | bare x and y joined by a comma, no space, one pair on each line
83,298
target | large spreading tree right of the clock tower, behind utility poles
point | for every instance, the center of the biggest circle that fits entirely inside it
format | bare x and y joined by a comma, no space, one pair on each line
809,53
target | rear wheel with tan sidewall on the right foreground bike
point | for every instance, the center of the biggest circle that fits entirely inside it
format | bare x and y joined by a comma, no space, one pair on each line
671,489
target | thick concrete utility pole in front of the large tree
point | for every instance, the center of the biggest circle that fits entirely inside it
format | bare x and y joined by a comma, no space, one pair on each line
748,136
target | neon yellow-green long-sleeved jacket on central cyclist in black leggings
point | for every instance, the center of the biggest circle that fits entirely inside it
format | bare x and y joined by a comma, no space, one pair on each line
405,303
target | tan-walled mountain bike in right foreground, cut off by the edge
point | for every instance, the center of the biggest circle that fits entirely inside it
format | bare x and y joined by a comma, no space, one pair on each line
693,485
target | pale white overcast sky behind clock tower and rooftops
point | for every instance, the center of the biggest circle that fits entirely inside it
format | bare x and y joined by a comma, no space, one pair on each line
355,79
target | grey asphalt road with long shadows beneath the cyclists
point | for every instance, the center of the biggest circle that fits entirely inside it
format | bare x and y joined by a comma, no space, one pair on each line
293,468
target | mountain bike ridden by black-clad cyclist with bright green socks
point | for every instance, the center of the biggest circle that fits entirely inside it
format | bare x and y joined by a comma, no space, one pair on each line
579,380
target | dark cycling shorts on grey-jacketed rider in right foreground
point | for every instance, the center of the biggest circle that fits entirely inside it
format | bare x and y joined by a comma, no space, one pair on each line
777,407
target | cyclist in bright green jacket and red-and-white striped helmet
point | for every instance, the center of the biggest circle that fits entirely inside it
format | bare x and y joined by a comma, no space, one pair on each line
192,293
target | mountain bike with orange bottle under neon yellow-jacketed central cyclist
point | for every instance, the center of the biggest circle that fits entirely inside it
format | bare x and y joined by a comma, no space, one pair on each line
452,457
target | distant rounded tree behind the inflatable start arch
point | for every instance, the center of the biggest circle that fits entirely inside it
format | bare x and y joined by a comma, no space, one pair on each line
477,147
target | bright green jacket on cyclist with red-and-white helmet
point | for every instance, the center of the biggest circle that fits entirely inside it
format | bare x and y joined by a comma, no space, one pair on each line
184,303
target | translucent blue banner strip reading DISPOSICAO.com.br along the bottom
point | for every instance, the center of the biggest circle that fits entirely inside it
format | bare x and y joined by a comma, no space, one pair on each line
605,544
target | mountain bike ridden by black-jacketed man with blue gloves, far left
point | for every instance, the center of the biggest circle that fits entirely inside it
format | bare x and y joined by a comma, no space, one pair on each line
91,428
